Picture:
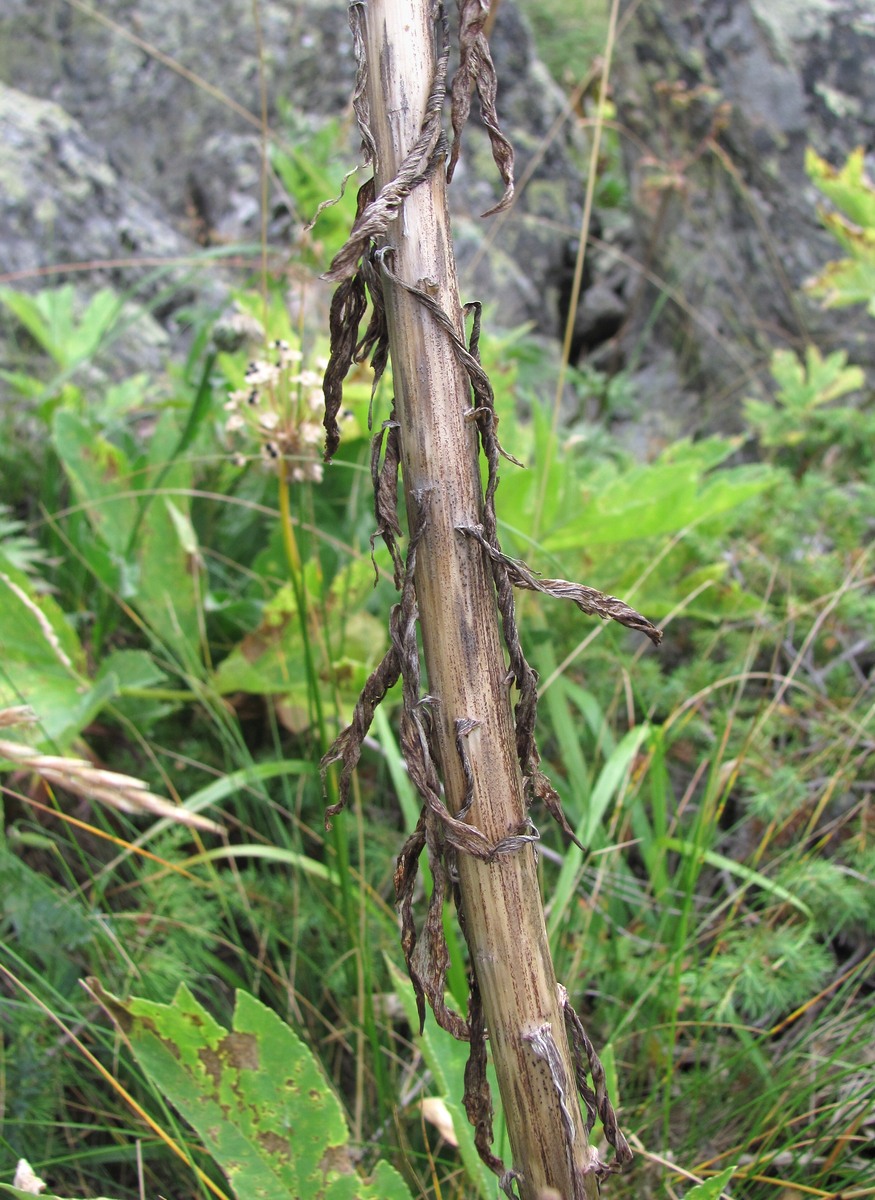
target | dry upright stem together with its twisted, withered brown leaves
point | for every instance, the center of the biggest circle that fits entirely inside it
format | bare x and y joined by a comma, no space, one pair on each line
456,585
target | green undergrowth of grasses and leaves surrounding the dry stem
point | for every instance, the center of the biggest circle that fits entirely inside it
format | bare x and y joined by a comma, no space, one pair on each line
173,609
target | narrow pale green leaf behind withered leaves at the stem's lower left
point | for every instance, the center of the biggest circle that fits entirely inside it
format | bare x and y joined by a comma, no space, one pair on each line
447,1060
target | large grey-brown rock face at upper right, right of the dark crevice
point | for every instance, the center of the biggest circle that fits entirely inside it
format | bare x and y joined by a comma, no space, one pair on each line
721,101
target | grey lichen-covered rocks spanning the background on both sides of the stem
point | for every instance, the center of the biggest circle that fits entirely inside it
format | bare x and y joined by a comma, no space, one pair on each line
136,135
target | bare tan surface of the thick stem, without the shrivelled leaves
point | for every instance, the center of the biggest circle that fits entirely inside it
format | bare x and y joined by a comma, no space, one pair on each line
464,653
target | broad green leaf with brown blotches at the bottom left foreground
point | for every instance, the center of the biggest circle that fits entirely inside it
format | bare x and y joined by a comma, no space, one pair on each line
256,1097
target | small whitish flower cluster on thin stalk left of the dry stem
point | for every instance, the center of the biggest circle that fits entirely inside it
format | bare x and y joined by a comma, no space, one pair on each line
278,409
